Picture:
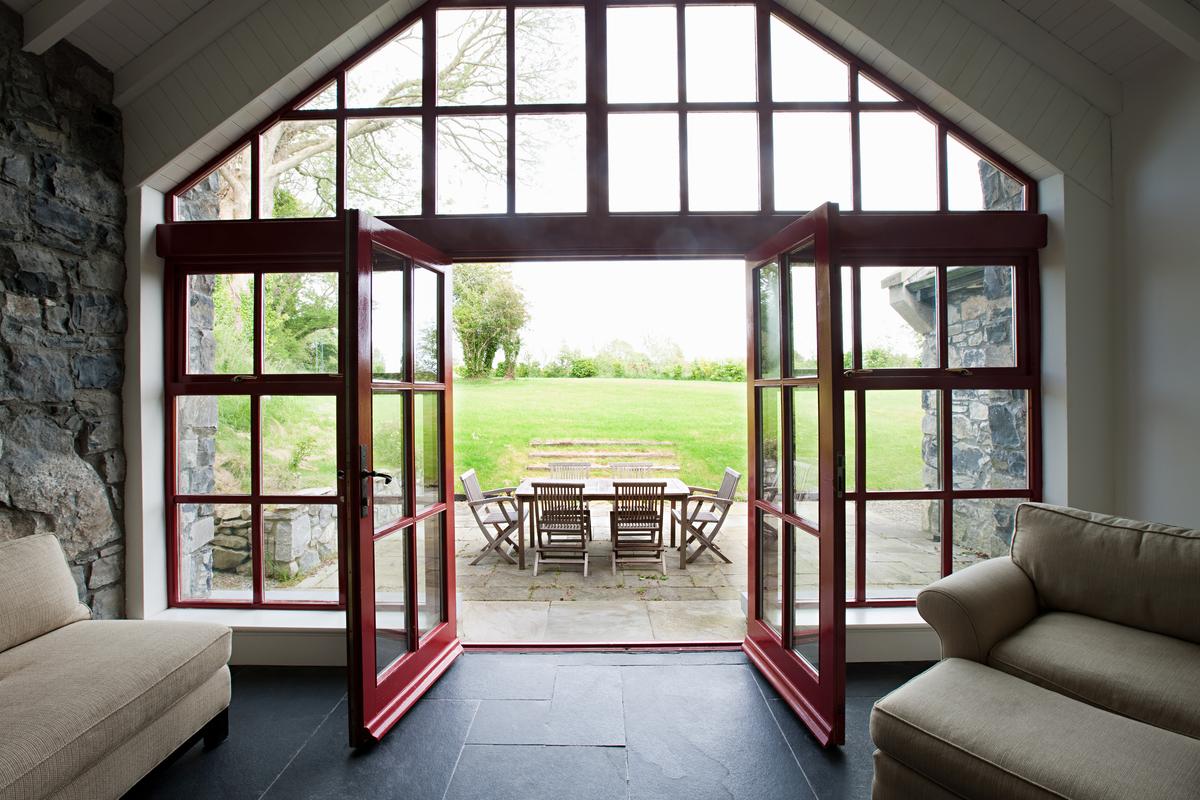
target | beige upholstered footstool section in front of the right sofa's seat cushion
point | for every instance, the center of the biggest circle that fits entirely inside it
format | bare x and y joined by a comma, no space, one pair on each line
983,735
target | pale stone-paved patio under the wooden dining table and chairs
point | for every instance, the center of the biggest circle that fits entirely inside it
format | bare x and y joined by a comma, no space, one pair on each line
704,603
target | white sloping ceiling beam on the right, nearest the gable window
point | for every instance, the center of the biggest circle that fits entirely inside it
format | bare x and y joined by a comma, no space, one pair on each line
1042,49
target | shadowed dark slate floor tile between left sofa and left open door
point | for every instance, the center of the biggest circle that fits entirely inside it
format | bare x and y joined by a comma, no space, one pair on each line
274,712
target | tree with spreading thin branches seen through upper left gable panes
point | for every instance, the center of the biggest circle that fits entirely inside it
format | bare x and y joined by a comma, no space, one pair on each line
383,158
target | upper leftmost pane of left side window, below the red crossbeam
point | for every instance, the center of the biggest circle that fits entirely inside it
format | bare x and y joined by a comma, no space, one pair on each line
220,324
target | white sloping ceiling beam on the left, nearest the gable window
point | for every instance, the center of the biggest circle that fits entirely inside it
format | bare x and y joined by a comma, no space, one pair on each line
182,44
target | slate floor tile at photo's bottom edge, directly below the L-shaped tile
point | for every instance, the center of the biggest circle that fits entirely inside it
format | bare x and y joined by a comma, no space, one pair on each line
535,773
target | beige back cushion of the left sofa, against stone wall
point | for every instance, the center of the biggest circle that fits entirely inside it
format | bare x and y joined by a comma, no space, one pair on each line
38,594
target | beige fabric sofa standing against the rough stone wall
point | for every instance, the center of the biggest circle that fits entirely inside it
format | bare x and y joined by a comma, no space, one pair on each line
89,707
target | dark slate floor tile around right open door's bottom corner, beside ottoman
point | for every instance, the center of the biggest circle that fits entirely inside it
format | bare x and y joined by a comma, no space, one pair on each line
836,773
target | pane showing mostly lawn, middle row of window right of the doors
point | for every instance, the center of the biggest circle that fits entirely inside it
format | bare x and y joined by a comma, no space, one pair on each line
903,435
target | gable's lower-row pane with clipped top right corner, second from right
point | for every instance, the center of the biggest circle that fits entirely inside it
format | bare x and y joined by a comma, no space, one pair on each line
899,157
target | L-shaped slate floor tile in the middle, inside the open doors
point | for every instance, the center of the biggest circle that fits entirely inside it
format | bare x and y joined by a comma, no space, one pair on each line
586,709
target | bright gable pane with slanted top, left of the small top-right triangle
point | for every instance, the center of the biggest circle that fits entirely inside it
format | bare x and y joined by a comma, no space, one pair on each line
801,70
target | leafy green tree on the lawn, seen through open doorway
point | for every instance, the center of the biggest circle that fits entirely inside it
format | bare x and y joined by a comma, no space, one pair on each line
489,314
